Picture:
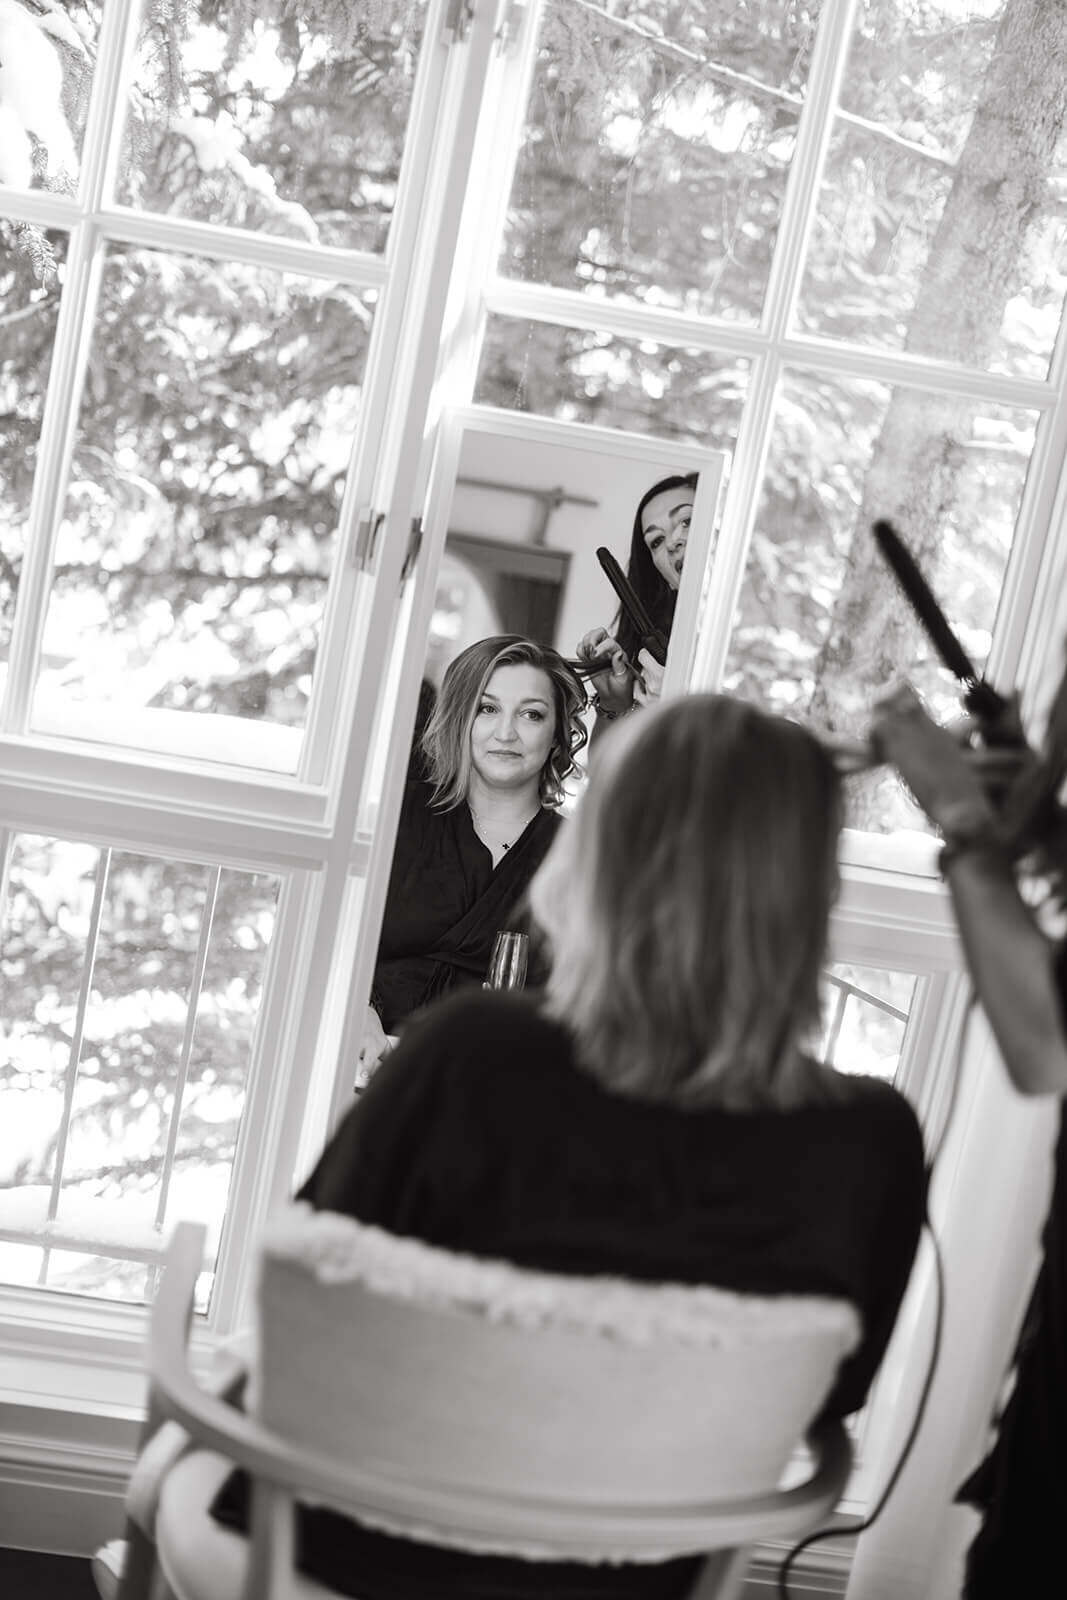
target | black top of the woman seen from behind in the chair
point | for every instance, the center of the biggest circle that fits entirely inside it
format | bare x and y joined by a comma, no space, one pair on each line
481,1134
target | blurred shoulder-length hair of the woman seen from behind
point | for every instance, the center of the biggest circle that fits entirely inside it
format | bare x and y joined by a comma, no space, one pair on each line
687,905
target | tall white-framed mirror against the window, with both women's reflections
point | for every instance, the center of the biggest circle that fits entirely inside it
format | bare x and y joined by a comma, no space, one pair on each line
510,585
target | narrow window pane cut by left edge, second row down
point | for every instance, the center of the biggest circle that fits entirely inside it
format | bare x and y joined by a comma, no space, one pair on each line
31,263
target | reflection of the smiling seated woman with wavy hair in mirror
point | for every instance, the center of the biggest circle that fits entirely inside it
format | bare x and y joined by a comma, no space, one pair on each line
500,743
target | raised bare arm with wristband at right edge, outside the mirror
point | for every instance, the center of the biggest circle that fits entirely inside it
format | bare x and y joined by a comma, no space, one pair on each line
1012,962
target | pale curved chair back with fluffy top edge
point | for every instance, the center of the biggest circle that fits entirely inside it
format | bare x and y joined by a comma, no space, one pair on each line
529,1404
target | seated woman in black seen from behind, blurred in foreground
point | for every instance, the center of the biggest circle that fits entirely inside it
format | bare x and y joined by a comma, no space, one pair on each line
655,1113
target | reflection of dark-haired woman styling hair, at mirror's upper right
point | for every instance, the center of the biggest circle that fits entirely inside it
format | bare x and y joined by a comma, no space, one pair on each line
658,543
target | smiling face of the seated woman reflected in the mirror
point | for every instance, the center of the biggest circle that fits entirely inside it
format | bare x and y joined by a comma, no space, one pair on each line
514,727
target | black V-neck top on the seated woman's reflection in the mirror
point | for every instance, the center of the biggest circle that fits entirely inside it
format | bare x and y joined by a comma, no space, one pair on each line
447,903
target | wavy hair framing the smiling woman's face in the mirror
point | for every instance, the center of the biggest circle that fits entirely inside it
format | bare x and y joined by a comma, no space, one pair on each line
447,738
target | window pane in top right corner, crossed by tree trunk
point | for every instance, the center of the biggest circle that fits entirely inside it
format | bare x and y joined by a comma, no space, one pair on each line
941,225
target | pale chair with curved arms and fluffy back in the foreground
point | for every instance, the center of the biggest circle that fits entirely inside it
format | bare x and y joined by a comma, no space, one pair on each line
386,1465
